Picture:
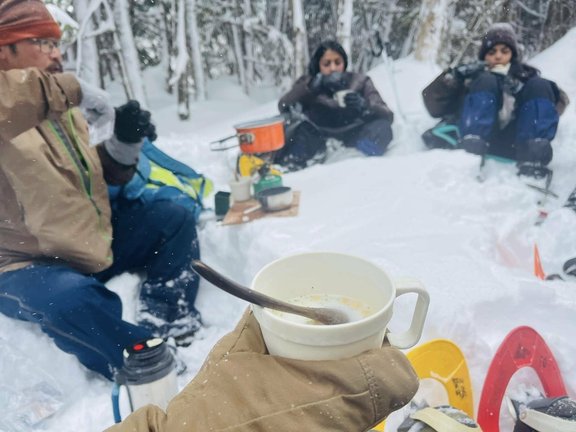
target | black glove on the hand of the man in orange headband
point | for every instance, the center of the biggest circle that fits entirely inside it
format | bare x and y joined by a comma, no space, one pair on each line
133,123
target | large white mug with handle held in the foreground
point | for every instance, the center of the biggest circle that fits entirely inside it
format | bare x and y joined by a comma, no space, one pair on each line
346,278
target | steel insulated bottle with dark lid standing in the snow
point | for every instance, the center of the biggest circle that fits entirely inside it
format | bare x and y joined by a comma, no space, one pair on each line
148,374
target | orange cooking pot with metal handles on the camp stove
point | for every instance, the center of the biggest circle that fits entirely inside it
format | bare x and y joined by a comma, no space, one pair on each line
258,136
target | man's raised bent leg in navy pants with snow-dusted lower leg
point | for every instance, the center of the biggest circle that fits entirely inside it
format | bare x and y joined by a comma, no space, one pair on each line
159,238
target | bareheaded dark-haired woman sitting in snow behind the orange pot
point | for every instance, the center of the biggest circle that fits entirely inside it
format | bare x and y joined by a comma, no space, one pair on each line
331,102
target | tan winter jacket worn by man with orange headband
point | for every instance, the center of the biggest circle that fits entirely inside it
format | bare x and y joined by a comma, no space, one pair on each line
54,201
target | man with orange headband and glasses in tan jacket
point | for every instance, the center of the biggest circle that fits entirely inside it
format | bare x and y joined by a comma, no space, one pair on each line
60,238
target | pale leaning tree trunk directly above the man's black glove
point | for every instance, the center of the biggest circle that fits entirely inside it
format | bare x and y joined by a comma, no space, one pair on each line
129,53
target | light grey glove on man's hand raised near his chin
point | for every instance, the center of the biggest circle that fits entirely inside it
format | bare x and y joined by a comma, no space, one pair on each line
98,112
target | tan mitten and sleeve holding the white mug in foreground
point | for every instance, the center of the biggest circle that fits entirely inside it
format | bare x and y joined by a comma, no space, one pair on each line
241,388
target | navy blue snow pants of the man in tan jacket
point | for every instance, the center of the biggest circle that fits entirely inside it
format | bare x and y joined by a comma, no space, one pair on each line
76,310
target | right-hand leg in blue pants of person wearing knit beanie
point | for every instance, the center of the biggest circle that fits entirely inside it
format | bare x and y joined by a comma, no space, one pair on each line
537,122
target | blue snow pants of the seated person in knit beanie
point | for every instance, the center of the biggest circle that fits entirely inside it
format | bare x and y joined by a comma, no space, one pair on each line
535,116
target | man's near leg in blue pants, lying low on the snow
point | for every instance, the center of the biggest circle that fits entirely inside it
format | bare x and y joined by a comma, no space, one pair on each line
82,316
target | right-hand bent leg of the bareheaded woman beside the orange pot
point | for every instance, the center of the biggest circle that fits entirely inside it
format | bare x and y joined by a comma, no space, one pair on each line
372,138
